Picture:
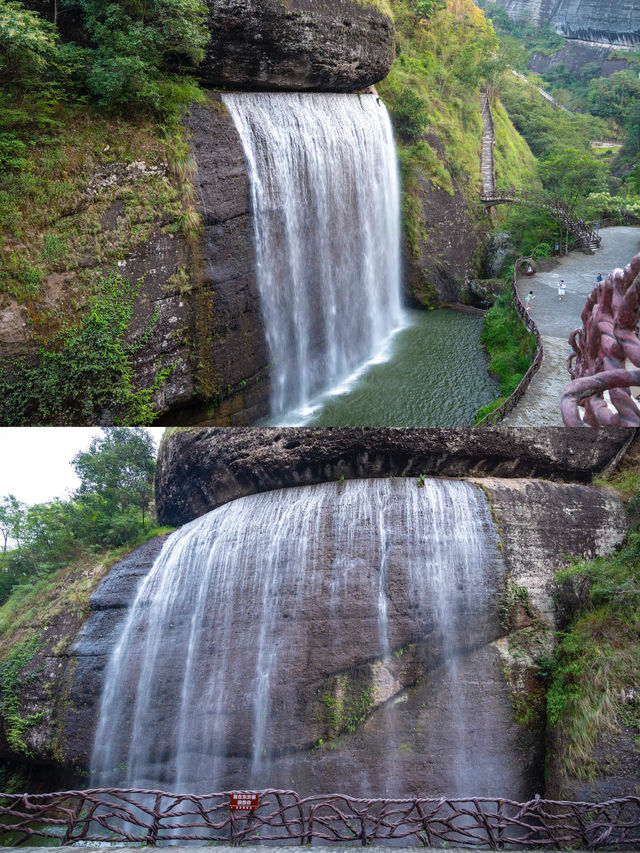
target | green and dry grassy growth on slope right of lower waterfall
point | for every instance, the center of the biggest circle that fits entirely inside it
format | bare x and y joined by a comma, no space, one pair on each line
598,656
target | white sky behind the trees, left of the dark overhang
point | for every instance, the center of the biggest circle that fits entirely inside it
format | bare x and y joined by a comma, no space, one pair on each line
35,462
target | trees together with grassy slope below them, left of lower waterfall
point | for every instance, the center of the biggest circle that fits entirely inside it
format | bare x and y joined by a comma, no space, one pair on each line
55,554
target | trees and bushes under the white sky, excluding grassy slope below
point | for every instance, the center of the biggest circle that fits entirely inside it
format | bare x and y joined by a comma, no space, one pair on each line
108,510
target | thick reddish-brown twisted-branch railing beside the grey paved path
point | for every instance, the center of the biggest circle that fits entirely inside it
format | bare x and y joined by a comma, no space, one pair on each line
606,354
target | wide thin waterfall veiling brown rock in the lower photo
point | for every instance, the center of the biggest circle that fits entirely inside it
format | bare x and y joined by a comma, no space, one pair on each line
221,670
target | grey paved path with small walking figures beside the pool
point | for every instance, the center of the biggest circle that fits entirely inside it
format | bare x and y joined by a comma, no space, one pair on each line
540,406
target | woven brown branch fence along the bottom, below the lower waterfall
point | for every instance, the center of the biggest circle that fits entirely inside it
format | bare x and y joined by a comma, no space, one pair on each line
135,815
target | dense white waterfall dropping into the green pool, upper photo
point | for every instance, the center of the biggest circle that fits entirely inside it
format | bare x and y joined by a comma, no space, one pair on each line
325,202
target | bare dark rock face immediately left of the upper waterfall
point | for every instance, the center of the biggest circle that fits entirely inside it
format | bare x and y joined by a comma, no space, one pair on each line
204,296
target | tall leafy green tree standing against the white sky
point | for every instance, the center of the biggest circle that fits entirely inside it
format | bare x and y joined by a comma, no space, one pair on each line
118,468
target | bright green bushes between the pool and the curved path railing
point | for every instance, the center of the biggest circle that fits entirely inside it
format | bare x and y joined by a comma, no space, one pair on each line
511,348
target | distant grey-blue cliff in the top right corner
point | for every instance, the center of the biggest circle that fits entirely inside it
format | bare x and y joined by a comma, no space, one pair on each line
606,22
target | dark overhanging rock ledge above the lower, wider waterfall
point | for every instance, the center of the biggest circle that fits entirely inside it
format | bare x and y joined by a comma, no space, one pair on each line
200,469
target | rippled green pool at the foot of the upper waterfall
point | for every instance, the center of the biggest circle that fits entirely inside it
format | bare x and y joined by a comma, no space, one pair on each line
436,376
